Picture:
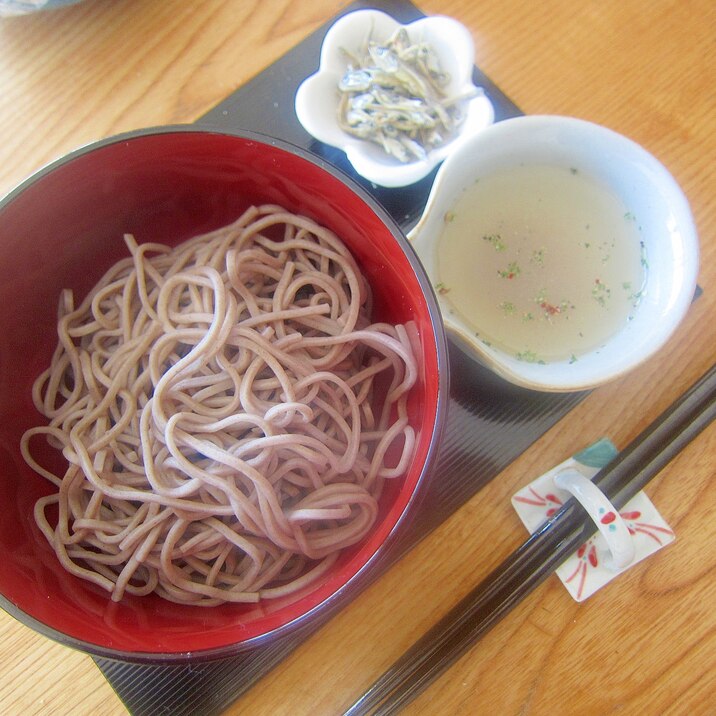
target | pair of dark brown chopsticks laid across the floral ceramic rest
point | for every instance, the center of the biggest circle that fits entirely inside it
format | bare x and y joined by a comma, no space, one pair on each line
540,555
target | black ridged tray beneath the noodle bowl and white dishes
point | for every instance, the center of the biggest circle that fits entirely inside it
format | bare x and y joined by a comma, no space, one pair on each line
490,422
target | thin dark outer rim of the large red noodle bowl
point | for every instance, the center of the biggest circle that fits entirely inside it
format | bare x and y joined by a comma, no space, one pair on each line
323,610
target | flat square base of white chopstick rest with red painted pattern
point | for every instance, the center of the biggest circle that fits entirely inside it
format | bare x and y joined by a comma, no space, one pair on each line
584,572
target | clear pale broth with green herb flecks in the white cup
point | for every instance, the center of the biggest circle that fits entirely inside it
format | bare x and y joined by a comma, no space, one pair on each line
541,261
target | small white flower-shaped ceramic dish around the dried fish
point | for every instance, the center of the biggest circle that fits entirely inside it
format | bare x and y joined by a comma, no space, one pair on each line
318,96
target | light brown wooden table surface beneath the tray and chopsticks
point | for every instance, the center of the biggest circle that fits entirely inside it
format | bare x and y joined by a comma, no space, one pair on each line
643,645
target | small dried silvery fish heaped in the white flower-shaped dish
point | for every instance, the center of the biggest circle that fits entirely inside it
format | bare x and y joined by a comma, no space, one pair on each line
393,94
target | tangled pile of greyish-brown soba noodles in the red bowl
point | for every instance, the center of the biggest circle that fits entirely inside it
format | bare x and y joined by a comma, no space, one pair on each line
215,403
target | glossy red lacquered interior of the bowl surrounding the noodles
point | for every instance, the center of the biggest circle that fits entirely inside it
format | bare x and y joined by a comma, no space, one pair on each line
63,228
